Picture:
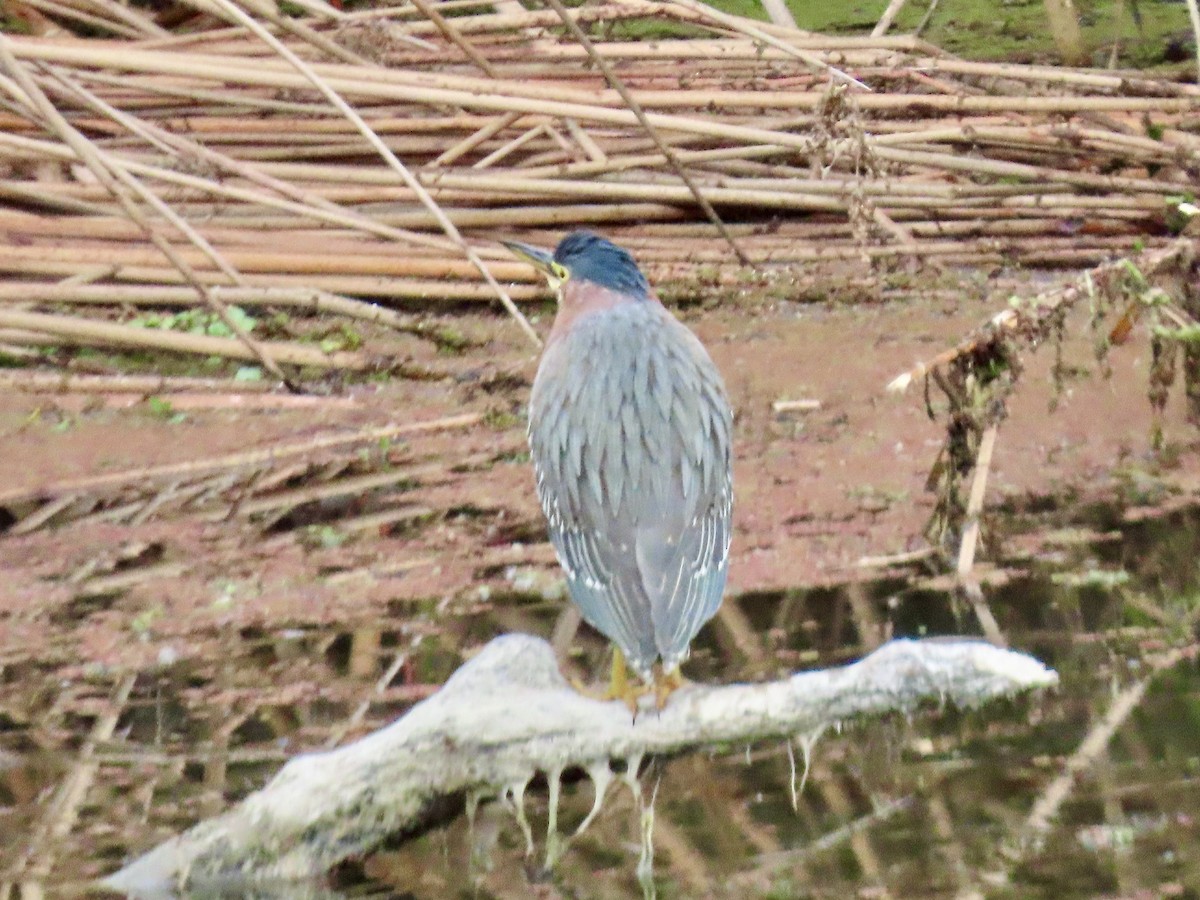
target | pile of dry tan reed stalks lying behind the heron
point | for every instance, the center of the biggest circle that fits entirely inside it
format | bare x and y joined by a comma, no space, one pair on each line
229,155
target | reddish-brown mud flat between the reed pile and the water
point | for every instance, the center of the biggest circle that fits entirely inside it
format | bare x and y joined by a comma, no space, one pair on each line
817,490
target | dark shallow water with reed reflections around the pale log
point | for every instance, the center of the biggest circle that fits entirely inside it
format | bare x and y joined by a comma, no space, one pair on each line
98,766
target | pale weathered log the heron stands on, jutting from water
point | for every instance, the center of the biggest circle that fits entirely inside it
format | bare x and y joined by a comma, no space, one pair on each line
509,715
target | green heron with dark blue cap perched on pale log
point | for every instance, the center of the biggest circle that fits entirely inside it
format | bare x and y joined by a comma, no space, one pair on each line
629,427
